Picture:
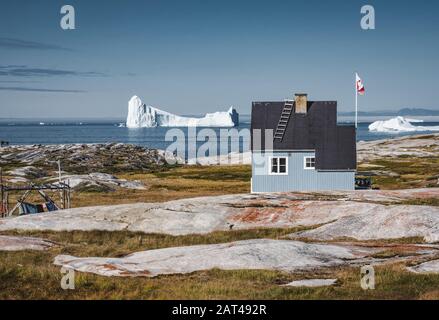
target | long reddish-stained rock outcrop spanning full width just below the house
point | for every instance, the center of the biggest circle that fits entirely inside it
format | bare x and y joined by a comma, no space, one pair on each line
362,215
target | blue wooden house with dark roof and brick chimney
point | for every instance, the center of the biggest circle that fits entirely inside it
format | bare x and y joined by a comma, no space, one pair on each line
297,145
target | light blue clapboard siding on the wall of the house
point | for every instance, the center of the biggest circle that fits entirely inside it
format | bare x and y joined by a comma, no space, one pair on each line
298,178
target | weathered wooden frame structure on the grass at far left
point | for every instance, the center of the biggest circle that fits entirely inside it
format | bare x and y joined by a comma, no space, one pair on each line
63,188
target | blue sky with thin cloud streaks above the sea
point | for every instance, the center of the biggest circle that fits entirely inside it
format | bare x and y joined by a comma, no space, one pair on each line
194,56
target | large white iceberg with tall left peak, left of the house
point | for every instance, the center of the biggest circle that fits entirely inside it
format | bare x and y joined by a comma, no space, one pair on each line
142,116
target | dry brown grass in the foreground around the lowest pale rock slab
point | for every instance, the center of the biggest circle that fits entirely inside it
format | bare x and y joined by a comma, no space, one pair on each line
31,274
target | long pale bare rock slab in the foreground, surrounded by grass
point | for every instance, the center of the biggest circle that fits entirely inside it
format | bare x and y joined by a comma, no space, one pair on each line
264,254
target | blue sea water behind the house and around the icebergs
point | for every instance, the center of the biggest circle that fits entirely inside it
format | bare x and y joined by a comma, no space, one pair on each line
84,131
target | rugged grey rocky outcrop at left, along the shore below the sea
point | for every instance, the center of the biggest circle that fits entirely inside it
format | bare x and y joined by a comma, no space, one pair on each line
85,158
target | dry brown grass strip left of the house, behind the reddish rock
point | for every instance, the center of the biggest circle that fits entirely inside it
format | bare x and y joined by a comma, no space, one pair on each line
175,183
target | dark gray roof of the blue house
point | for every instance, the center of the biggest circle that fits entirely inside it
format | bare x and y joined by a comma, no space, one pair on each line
335,145
